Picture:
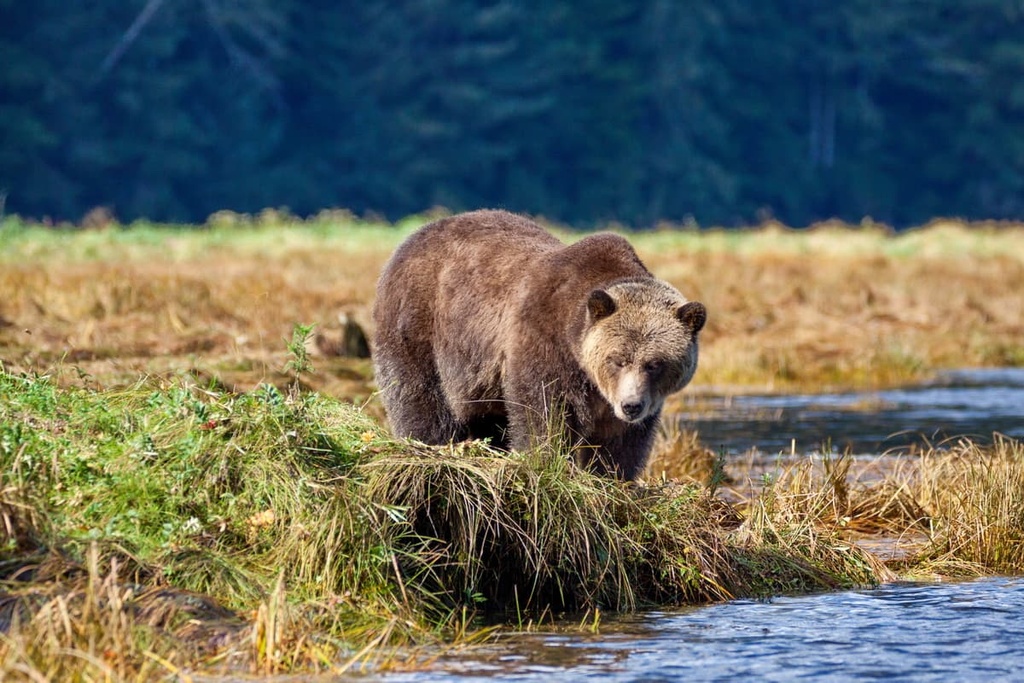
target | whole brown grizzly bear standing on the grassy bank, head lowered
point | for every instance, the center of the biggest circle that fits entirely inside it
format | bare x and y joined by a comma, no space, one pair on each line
489,327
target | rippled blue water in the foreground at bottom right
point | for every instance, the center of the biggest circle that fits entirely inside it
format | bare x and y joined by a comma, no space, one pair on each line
965,631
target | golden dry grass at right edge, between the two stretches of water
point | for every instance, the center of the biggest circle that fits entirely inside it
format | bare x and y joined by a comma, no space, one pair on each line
954,509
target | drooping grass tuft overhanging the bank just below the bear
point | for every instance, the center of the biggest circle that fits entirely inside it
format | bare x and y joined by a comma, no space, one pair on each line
479,523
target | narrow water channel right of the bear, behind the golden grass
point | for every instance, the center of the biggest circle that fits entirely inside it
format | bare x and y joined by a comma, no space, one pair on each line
972,403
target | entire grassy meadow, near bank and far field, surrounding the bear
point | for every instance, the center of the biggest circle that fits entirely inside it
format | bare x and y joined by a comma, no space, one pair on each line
199,483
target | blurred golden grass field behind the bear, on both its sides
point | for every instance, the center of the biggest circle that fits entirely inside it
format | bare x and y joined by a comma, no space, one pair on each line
808,310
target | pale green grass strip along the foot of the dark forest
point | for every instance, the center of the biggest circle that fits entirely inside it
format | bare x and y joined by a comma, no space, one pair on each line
245,234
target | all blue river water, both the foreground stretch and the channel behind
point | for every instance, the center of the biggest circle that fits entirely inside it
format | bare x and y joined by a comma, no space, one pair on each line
961,631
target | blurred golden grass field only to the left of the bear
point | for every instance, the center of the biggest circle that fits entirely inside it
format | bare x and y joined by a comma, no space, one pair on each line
114,307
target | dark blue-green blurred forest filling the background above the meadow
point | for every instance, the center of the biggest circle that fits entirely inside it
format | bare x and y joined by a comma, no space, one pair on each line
721,111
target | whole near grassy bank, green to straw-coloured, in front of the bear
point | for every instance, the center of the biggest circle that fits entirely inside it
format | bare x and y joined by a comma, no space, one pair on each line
169,527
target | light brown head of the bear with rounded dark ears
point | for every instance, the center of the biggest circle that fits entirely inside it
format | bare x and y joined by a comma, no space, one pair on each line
641,345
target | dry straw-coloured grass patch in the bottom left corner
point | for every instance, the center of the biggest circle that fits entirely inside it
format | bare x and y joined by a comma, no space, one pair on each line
99,627
